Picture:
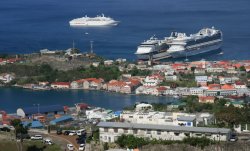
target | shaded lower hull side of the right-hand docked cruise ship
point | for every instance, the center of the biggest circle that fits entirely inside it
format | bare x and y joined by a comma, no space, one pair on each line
198,50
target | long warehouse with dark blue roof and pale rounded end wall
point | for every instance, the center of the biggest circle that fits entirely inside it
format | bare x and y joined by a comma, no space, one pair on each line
28,111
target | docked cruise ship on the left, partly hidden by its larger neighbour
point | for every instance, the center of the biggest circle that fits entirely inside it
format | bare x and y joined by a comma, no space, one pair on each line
153,49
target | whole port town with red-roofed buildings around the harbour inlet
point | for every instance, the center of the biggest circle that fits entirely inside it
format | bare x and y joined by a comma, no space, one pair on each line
209,100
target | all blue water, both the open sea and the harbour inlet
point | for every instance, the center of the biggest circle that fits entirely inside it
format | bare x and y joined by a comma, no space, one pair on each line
29,25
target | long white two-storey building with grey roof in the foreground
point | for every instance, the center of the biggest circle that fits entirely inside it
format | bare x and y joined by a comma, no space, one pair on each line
110,131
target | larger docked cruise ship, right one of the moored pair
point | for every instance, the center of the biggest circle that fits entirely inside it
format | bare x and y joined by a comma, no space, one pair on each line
206,40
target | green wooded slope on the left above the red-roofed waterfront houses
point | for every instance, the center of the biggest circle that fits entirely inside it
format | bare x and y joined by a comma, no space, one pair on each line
44,72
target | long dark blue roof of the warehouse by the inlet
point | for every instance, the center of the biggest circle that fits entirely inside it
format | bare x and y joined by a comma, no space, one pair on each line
43,109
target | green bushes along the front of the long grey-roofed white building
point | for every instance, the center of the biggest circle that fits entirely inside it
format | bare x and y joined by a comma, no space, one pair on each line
131,141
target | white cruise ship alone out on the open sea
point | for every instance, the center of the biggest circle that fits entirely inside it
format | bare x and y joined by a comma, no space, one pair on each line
94,21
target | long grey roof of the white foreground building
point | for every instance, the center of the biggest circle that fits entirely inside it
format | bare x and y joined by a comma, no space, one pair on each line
163,127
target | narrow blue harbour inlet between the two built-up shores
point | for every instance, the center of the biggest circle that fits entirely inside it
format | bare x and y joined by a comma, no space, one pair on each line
13,98
